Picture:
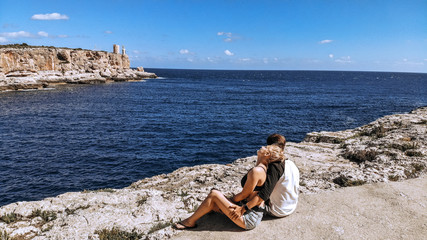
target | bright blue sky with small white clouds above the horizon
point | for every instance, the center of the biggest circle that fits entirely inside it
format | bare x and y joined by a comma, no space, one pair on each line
369,35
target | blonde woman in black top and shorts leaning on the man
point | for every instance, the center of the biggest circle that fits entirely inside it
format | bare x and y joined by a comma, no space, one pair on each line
246,216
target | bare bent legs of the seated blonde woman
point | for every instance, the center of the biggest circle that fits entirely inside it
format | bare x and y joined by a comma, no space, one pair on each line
215,200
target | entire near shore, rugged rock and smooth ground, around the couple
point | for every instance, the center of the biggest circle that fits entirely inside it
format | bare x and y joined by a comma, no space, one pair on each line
363,183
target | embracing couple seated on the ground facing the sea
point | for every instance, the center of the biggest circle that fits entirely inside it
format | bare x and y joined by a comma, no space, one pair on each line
270,187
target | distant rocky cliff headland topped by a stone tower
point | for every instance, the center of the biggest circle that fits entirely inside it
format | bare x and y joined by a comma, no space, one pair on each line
35,67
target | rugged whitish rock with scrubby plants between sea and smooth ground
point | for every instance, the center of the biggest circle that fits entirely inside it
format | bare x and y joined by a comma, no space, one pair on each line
392,148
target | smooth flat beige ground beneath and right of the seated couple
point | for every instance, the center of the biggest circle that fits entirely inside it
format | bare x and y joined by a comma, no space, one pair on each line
393,210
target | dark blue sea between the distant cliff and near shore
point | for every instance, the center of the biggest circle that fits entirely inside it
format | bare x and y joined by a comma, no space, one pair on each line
78,137
